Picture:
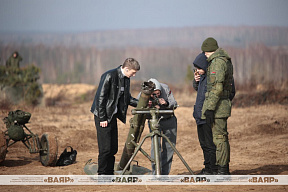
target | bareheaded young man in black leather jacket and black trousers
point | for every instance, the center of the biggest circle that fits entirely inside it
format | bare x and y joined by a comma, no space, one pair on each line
111,102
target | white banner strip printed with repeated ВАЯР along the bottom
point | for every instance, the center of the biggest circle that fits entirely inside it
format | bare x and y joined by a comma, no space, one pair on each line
144,180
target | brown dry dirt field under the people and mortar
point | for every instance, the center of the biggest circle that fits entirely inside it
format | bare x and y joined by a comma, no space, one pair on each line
258,138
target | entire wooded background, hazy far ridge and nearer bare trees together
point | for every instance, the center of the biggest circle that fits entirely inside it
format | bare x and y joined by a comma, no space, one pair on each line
259,54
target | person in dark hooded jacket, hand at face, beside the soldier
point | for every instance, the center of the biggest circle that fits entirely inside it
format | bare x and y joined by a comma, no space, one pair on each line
204,131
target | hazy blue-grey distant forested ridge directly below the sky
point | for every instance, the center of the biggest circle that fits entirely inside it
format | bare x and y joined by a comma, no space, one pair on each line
185,37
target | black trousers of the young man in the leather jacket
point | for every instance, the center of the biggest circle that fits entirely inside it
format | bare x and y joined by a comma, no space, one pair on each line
108,146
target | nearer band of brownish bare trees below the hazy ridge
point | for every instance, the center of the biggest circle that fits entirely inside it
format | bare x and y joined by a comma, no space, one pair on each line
252,65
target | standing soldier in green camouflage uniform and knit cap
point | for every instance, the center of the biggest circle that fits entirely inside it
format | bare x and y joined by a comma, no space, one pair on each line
217,105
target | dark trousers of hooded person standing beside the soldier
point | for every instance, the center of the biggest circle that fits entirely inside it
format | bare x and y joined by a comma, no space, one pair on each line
209,149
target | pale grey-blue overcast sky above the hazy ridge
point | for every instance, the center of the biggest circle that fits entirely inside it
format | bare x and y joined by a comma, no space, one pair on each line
91,15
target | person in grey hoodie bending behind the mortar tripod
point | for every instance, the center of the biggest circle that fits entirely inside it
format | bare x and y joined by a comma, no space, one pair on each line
168,126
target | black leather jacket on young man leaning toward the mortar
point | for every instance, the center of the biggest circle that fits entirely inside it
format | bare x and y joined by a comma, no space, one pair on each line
109,96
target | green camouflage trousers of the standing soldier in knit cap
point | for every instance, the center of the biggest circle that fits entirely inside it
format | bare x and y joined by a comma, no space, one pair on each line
220,139
